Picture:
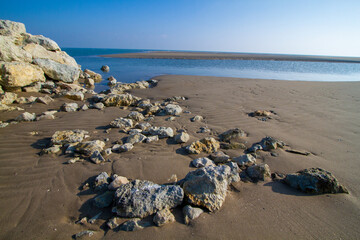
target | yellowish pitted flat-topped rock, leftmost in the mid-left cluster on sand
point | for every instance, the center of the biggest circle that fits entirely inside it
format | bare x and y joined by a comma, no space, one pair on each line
68,136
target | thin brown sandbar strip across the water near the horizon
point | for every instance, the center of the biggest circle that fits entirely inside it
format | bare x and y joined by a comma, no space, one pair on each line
231,56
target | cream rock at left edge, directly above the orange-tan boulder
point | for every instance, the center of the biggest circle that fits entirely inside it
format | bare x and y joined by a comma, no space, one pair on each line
10,52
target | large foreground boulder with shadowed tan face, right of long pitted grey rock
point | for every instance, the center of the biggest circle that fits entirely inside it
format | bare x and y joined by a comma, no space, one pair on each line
207,187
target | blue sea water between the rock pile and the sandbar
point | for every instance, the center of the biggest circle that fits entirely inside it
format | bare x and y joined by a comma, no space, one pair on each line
128,70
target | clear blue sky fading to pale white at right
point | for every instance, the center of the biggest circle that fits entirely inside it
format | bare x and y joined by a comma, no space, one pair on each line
315,27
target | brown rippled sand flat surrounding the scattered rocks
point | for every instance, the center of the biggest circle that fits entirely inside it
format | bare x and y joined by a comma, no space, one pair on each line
40,196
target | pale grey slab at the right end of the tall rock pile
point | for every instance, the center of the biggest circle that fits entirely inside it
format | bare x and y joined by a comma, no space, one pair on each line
58,71
